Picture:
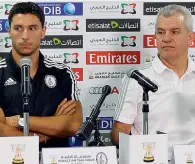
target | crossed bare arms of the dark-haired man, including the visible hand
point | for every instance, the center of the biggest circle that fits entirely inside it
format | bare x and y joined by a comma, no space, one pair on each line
64,123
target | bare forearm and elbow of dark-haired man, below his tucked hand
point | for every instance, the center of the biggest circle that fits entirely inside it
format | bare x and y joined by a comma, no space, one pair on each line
63,125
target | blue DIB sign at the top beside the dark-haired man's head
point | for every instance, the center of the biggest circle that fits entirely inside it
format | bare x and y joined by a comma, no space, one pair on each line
56,9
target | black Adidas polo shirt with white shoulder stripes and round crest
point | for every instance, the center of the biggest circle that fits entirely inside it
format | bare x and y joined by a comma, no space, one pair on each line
52,83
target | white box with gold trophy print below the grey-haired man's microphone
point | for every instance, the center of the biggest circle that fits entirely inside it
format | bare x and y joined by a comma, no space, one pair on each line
142,149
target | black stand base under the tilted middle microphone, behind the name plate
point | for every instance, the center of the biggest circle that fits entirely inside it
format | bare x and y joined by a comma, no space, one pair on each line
96,141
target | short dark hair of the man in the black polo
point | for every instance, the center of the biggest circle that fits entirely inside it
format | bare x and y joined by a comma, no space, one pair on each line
27,8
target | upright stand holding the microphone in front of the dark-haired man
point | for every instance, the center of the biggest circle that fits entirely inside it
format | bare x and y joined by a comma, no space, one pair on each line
26,115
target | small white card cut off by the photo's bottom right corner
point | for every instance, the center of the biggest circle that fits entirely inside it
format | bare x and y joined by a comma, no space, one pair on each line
184,154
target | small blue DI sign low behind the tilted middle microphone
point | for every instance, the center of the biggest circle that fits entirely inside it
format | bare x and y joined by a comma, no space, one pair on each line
104,123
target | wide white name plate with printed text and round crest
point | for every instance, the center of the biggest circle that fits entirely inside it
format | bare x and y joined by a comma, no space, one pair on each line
80,155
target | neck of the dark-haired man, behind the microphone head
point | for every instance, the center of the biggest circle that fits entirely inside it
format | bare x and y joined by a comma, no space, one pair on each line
34,58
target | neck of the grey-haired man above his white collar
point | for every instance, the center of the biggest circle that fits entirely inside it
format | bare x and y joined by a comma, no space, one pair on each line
179,65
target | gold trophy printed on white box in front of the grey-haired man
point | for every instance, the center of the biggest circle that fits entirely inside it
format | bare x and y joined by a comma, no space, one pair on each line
148,147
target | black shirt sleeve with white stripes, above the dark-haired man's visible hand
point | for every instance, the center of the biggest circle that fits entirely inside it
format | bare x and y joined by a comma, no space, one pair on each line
69,85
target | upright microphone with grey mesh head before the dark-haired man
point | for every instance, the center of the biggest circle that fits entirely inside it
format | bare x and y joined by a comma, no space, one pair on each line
25,64
